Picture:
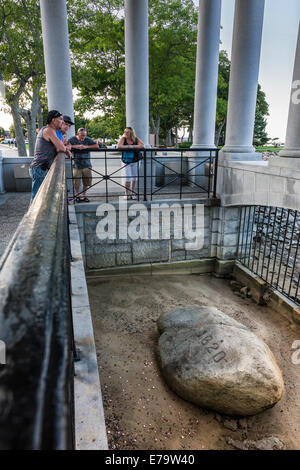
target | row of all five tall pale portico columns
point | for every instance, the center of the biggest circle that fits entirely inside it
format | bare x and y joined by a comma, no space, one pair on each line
246,48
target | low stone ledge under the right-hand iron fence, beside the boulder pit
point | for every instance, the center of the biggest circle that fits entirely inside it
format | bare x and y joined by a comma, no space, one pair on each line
263,294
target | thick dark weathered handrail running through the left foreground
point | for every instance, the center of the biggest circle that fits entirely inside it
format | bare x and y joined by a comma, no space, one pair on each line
35,324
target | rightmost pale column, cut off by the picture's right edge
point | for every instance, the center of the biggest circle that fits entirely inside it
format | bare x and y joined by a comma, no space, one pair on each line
292,140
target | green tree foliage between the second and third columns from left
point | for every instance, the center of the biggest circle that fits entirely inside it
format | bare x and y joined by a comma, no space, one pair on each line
172,52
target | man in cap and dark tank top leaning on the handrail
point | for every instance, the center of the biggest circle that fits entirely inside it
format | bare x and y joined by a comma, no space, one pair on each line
46,148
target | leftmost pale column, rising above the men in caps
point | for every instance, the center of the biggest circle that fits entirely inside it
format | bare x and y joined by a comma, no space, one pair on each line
57,56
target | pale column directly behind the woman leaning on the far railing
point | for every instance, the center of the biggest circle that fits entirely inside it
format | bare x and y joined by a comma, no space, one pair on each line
137,67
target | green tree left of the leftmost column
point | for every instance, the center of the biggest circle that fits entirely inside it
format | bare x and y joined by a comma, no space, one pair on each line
22,64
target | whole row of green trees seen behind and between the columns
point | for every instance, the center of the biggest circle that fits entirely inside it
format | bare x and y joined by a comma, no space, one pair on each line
96,31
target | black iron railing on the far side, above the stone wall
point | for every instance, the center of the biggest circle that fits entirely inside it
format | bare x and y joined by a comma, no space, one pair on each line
162,172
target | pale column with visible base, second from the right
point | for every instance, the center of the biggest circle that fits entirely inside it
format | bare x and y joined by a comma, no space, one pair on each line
245,58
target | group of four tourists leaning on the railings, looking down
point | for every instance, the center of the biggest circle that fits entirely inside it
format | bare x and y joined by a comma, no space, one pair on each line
52,139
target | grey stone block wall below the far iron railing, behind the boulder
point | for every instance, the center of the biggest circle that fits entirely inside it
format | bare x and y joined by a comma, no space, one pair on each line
218,227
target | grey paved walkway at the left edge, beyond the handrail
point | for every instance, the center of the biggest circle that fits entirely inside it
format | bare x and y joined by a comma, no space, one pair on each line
12,208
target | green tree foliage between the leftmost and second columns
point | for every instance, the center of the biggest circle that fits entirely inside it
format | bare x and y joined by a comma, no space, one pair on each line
98,60
